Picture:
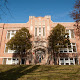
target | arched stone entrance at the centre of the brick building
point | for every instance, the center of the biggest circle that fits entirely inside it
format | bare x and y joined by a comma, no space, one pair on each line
40,55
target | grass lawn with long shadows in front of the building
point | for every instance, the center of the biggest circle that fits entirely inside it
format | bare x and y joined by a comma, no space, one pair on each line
39,72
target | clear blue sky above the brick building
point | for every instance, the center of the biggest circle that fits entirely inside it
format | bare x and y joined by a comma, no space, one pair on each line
20,10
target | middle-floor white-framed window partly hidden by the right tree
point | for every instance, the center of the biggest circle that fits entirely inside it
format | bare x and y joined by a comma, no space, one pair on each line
70,49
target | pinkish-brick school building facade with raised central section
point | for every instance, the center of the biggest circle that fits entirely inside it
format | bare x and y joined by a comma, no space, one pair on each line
39,28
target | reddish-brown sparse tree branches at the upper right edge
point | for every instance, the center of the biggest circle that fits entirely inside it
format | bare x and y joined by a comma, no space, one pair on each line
75,14
